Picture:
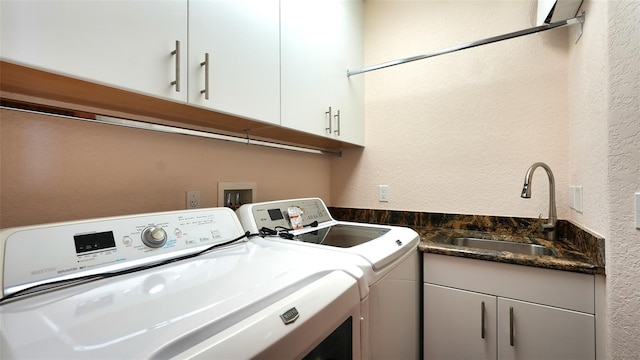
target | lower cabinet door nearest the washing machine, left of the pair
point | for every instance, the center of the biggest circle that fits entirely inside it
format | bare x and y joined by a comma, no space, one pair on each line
454,321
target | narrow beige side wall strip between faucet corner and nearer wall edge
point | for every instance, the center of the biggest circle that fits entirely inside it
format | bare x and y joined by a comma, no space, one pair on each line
589,147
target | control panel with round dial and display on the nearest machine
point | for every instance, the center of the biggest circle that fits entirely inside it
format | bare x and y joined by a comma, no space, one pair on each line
38,254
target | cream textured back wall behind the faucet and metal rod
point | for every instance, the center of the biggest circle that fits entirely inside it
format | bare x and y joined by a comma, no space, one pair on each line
456,133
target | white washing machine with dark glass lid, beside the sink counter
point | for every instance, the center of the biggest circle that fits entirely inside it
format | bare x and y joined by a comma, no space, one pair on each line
387,255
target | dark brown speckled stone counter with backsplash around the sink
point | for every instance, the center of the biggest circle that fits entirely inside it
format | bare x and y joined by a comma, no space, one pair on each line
578,250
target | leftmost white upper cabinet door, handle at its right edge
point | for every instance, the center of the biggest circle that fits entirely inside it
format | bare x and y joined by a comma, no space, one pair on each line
126,44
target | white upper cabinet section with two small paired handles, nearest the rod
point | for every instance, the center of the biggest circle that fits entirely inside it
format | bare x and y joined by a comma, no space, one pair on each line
320,41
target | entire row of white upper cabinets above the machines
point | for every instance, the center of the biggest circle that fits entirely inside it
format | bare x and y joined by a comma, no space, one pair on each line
280,62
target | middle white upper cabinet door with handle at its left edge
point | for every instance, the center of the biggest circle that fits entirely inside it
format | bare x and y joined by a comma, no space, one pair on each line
242,40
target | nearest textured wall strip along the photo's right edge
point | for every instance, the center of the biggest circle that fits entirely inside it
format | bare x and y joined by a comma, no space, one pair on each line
623,247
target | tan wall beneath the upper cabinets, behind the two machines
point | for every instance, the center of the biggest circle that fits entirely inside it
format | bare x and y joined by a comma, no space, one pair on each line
54,169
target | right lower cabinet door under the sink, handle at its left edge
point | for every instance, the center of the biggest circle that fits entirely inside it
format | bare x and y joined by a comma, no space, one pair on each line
531,331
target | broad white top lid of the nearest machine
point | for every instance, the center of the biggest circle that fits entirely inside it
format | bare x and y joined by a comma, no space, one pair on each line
135,315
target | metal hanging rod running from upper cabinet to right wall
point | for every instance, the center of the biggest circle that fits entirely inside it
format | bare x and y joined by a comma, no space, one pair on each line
576,20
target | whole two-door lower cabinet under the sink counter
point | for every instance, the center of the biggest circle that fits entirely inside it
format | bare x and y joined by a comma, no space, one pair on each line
505,316
